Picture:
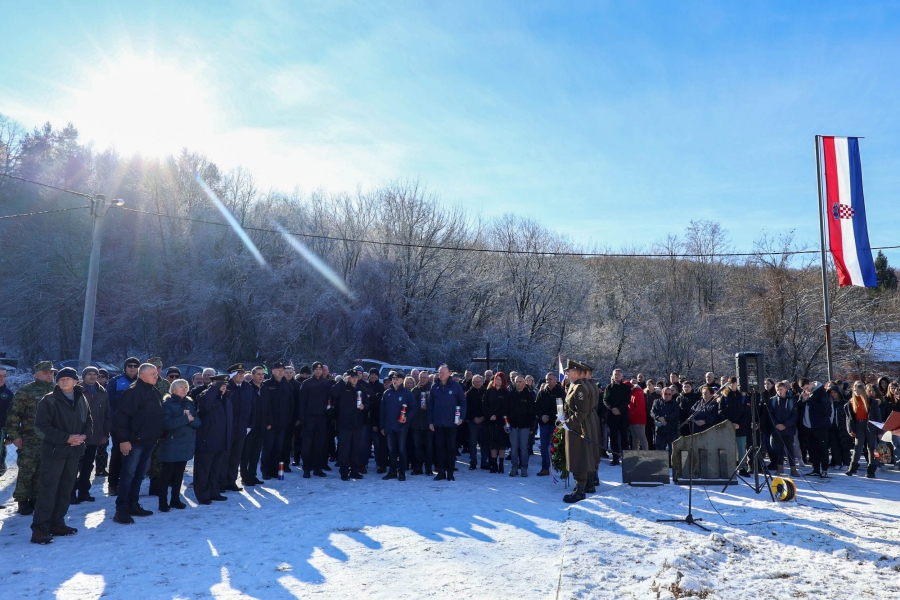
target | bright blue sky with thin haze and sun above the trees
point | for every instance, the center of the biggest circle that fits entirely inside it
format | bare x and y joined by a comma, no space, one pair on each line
615,123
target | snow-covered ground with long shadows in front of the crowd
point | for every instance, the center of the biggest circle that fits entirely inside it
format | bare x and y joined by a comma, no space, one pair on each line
482,536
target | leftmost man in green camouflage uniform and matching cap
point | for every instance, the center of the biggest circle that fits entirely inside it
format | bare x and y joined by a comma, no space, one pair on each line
20,429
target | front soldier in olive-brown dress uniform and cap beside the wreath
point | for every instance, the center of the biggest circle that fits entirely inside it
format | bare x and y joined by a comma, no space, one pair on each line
579,456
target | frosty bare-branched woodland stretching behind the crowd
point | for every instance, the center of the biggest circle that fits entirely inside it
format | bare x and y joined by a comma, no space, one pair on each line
436,285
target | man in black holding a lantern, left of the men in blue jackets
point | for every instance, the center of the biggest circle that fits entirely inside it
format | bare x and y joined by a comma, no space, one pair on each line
350,404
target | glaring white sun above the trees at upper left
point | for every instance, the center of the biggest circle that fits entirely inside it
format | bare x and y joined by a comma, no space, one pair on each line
146,105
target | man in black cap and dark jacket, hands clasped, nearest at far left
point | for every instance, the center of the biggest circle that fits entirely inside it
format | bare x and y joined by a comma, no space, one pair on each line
63,423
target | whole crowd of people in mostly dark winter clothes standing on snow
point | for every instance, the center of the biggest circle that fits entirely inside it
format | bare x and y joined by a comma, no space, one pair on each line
249,426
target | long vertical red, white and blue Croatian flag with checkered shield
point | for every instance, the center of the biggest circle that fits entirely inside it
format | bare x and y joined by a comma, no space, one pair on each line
846,212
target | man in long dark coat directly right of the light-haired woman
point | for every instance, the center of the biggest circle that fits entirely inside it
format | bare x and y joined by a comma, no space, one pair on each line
213,440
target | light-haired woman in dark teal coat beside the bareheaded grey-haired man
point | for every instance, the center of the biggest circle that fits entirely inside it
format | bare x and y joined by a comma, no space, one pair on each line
177,445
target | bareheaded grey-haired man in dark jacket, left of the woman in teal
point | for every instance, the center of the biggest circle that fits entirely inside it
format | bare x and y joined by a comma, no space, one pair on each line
138,424
